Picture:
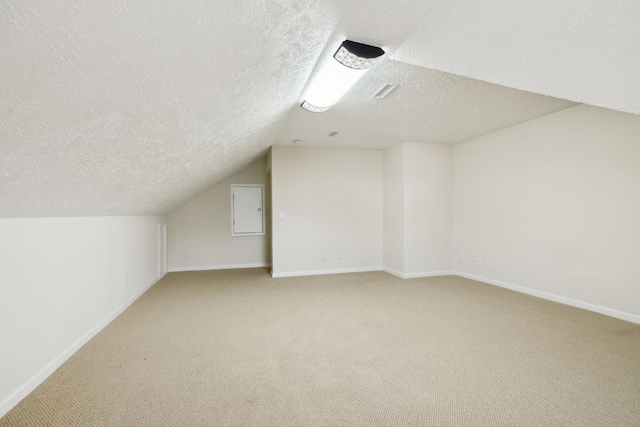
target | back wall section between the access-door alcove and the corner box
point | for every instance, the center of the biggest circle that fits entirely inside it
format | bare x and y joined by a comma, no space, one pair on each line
326,201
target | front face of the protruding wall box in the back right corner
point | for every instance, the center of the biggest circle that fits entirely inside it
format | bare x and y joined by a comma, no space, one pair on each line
428,208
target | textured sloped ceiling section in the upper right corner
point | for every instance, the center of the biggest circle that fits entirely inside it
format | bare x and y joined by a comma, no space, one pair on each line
587,51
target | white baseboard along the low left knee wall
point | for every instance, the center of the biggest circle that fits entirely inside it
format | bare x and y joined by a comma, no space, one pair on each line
14,398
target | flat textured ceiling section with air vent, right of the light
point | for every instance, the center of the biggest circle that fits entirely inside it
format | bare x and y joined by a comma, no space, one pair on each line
428,106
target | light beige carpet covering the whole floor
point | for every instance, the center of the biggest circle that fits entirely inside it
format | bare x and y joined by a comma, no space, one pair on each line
238,348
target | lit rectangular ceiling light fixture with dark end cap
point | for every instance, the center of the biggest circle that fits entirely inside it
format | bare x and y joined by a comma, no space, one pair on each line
336,77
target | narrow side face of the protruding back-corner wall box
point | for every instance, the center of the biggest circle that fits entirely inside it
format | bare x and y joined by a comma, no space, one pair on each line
393,168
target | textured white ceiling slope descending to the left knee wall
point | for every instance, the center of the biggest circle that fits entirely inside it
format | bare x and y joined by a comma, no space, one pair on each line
132,108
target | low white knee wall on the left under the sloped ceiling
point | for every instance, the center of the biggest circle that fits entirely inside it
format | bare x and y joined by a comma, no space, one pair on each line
62,280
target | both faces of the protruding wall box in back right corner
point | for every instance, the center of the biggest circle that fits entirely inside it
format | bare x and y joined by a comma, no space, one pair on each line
418,209
